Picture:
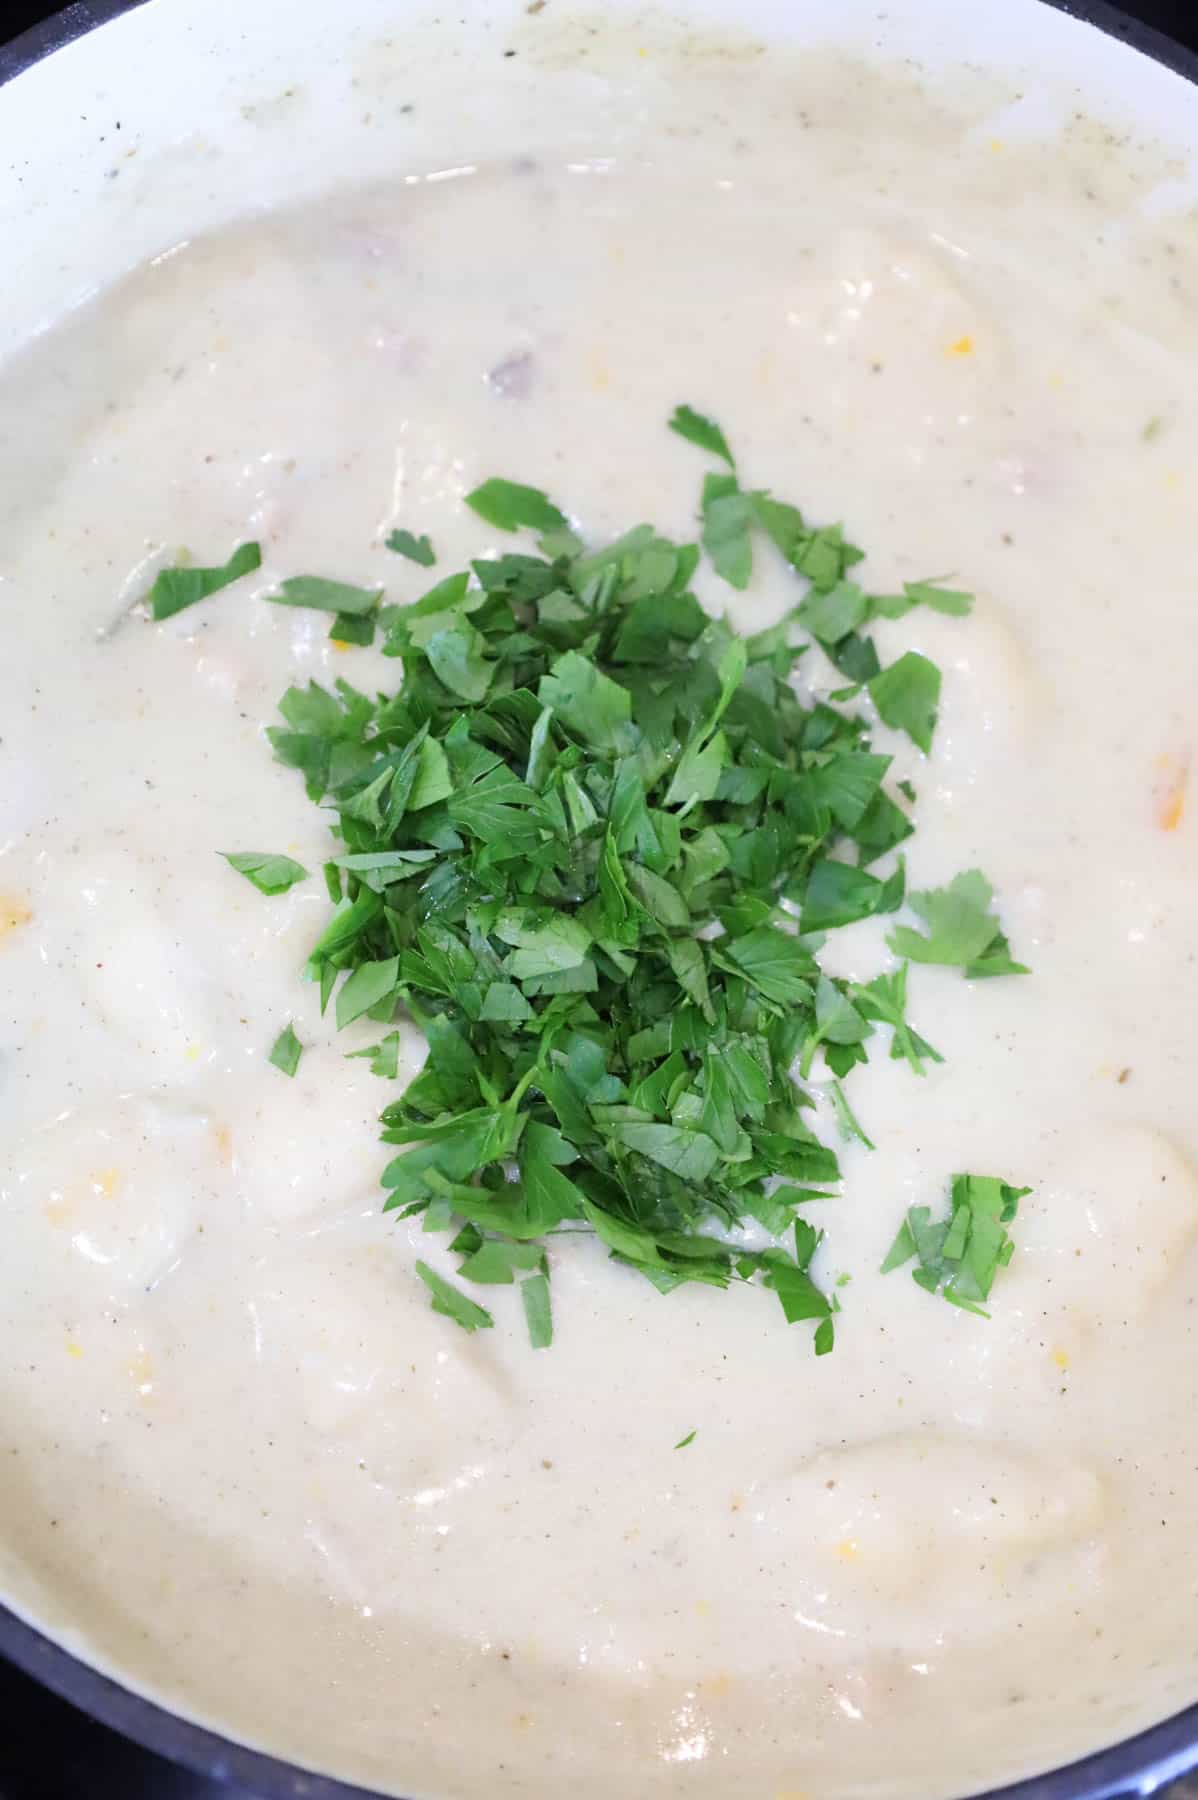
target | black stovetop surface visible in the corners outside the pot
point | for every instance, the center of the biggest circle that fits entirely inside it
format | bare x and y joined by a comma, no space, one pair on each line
48,1749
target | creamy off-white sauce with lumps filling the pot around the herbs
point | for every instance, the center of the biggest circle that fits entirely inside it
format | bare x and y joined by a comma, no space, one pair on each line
244,1462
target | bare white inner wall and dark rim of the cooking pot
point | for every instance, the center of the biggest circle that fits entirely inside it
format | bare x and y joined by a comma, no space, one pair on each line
174,116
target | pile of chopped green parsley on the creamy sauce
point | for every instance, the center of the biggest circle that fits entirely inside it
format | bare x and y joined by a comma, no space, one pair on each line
593,847
